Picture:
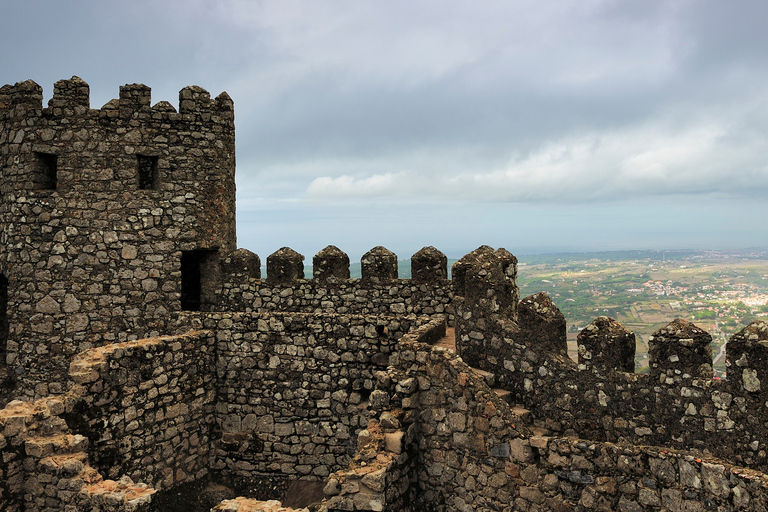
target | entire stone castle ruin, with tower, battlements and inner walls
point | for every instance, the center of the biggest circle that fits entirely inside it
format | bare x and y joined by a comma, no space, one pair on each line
158,358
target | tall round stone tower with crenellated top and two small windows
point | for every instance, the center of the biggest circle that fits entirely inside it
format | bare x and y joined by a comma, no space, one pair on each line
111,219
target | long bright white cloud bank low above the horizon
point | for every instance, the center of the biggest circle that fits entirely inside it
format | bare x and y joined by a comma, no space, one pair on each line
644,161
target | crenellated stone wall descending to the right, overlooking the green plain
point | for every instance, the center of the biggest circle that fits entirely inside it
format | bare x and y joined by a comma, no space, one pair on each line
678,404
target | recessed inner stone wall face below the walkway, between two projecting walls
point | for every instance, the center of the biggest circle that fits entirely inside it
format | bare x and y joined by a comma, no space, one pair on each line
293,388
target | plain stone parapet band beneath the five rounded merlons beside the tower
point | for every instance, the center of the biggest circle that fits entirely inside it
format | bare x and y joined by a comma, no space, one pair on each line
349,296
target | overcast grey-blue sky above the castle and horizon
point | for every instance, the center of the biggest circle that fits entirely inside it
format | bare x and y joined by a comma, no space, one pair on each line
533,125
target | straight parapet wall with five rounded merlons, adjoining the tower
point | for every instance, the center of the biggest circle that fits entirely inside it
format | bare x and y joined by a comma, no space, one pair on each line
378,292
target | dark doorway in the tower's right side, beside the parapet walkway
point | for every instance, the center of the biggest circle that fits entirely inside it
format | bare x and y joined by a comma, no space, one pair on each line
199,278
